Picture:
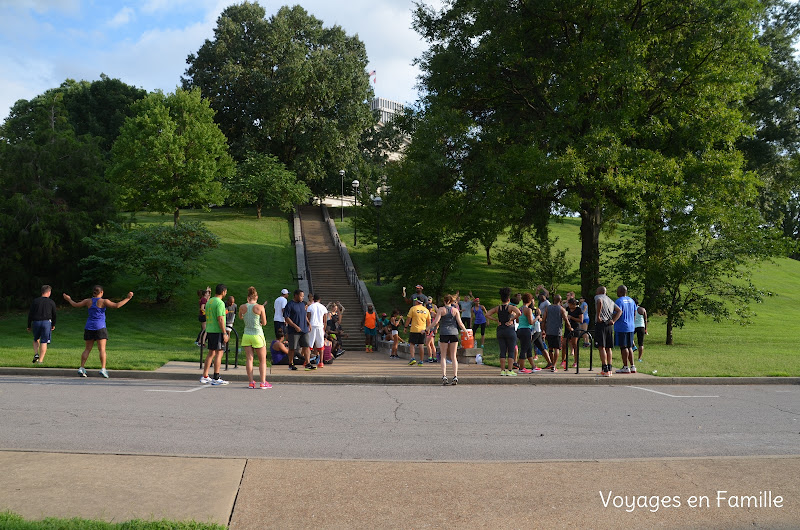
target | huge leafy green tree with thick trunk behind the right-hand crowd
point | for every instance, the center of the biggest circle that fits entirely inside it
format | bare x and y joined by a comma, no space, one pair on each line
587,94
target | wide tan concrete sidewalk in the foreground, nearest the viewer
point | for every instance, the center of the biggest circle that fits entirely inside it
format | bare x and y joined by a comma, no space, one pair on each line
263,493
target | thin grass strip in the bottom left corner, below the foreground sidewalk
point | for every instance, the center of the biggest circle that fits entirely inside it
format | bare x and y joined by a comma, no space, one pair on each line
12,521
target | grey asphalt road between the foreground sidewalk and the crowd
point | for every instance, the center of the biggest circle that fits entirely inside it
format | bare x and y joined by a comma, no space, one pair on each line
398,423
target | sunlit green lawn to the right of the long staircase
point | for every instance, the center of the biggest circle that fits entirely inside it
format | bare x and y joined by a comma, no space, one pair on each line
702,348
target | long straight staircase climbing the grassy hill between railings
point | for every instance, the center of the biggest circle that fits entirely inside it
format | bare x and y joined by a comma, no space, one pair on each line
328,276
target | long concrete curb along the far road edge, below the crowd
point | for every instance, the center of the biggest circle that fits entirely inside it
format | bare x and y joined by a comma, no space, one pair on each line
350,379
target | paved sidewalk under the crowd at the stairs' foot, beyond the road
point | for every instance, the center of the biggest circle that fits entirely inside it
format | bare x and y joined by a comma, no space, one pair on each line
358,367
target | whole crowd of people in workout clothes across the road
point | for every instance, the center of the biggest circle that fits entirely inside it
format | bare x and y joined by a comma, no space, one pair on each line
310,333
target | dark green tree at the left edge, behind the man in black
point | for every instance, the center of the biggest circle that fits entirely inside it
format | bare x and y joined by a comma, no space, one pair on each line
54,195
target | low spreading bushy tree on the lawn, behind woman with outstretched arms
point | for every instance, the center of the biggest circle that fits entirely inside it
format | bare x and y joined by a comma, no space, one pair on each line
163,257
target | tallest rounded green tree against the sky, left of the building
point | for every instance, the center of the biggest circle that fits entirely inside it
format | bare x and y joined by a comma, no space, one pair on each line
287,86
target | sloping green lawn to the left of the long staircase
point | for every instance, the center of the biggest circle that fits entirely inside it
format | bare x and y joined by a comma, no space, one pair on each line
144,336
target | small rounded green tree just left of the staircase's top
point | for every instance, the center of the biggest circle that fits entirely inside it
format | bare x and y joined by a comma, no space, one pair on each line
264,182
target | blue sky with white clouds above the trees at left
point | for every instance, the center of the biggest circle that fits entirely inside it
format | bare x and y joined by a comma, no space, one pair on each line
145,43
